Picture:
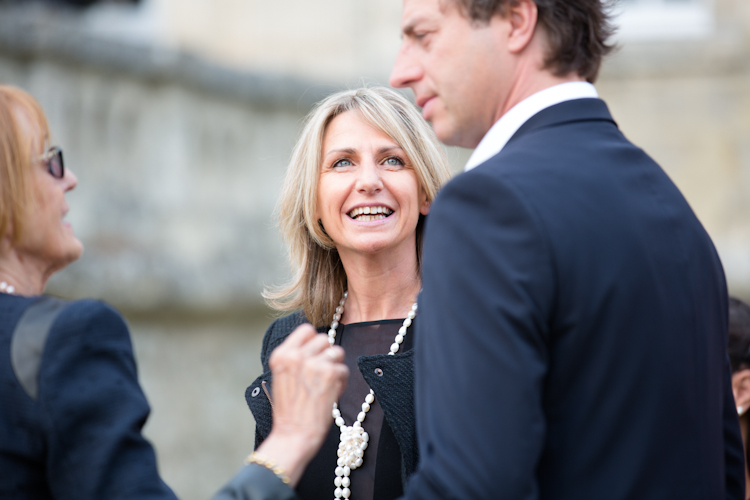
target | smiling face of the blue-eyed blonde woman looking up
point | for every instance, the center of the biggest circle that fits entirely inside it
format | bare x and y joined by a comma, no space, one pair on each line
369,198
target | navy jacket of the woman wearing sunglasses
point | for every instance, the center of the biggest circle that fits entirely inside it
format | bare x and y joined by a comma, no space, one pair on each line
72,430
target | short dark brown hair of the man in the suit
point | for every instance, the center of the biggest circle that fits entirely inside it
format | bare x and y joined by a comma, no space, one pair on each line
577,31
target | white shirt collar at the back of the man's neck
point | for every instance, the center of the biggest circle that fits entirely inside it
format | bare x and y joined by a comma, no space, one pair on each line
501,132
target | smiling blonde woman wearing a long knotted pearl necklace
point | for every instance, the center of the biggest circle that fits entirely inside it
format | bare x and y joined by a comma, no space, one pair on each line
359,185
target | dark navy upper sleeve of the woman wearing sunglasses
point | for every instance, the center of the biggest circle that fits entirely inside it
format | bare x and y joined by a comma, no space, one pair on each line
95,410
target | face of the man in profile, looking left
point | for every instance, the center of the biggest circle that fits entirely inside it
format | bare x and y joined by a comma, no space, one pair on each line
453,66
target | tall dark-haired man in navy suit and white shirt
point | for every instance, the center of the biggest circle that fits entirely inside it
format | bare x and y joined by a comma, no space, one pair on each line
573,318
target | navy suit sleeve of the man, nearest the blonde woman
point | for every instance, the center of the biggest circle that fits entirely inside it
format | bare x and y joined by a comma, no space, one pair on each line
481,345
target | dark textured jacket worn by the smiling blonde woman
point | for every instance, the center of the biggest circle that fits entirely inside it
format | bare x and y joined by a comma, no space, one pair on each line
394,390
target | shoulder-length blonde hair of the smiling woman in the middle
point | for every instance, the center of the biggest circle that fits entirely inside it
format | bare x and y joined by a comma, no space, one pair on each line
319,280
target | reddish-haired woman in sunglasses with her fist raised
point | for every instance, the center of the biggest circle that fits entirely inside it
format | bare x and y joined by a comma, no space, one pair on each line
71,409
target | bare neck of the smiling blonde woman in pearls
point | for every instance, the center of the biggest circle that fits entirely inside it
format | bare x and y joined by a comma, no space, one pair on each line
380,287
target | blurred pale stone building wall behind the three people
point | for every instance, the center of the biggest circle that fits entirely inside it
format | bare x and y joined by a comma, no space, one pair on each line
178,117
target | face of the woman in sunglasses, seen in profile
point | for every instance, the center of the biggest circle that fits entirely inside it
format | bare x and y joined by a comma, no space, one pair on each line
47,238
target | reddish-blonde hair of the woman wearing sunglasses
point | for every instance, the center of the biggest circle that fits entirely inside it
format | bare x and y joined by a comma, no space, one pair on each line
16,142
